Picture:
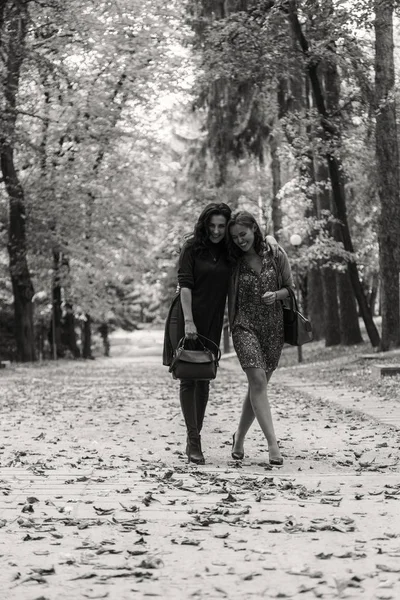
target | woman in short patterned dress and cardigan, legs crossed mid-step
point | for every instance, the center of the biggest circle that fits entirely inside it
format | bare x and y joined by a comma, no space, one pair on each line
258,284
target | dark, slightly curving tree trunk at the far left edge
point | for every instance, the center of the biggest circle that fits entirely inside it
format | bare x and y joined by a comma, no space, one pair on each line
17,244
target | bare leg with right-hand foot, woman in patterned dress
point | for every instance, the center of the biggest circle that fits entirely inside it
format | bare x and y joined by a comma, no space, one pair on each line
258,380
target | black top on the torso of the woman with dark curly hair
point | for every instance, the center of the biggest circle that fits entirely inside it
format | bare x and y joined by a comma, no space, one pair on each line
207,274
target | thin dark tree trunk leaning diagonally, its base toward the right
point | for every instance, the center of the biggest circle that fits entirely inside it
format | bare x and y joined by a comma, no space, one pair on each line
335,172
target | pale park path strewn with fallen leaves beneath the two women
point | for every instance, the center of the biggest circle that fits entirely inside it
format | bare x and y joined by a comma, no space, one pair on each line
97,501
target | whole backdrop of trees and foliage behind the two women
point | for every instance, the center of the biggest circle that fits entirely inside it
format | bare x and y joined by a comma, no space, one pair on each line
121,120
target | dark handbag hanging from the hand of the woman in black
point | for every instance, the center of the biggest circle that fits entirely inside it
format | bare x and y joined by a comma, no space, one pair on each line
198,364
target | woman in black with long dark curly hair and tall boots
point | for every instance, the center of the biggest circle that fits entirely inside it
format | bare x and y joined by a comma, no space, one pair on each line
204,272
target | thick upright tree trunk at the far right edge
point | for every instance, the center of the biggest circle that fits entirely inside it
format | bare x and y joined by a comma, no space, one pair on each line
387,154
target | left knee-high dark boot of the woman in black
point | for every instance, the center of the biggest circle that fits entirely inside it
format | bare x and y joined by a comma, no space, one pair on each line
188,405
